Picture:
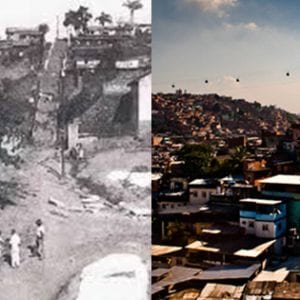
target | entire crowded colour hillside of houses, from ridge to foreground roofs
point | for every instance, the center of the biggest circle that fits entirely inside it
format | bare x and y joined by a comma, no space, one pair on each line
225,198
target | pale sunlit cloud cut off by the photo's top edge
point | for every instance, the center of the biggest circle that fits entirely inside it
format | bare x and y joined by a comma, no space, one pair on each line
214,6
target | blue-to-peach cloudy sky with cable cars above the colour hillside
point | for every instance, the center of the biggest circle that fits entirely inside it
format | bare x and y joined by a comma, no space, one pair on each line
221,40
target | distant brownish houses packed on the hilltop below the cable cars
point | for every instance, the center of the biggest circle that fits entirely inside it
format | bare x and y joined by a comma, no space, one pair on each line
211,116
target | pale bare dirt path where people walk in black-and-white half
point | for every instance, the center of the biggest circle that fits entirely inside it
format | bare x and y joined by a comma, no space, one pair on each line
72,242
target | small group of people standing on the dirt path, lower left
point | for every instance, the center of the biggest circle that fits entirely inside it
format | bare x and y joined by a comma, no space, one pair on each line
14,243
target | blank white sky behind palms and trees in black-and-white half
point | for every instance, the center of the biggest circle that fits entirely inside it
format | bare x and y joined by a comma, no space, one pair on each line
33,12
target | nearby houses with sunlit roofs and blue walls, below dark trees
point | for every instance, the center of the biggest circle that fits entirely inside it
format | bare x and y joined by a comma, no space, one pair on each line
239,234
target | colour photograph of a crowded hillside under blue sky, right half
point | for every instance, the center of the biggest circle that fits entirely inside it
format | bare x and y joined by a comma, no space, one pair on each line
225,149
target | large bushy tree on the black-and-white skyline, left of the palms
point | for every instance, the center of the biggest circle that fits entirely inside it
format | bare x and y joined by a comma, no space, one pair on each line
78,19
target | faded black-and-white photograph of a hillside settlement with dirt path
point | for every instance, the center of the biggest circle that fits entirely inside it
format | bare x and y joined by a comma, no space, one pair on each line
75,150
